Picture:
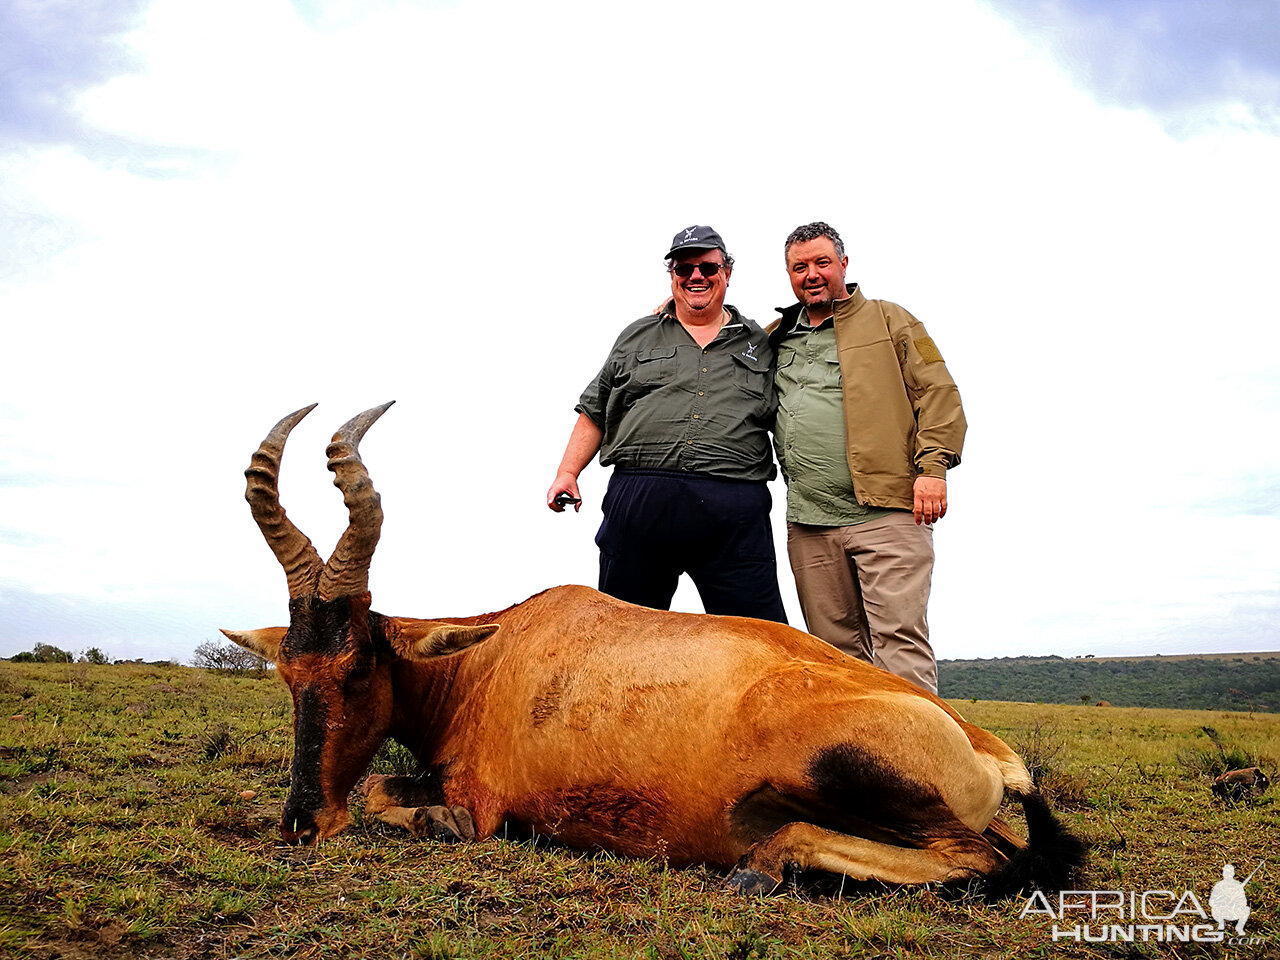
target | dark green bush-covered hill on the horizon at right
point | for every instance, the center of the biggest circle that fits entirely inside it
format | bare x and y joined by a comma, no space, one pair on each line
1232,682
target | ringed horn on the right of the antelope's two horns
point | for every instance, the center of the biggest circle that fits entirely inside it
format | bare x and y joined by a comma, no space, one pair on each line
348,572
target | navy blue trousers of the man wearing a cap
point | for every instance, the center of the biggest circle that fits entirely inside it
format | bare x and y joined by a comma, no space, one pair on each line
660,525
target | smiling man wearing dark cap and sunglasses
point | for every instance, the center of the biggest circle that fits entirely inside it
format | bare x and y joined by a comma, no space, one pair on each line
682,410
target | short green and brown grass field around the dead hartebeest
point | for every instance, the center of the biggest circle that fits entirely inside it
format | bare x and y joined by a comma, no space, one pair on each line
140,804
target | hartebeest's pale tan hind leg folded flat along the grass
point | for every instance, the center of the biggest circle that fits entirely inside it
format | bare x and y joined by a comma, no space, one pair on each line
817,849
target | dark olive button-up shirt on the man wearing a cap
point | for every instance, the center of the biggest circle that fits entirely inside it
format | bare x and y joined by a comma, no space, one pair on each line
666,404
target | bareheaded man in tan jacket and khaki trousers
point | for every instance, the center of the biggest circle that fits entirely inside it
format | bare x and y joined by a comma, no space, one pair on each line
870,420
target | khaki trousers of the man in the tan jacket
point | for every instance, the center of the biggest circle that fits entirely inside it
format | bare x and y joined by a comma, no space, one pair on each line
866,588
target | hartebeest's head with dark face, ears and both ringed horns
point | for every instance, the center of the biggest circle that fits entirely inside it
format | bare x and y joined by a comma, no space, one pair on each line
336,655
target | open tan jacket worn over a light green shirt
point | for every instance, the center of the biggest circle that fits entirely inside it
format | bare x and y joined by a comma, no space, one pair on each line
903,414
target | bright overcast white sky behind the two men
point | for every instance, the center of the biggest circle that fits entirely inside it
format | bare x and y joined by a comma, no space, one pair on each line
217,213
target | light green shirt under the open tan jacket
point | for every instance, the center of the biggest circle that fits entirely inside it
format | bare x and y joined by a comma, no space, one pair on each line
810,436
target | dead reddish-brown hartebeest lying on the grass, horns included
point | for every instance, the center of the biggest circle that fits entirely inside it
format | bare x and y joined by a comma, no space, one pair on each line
735,743
